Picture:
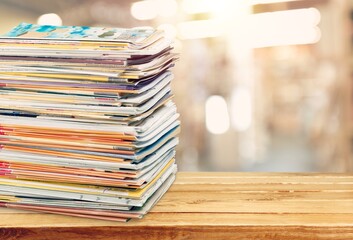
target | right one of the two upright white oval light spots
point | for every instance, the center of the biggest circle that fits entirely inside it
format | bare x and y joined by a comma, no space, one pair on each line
241,109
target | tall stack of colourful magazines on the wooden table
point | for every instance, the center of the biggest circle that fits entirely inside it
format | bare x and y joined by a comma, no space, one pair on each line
87,123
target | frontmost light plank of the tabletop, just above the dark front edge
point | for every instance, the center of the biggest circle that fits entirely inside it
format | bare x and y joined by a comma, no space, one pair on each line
38,220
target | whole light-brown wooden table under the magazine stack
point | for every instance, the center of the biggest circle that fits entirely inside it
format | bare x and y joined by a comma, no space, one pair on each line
216,206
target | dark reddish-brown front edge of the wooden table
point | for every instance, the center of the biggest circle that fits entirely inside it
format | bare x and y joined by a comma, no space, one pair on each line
187,232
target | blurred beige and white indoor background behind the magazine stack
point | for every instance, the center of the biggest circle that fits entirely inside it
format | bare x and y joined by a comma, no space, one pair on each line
261,85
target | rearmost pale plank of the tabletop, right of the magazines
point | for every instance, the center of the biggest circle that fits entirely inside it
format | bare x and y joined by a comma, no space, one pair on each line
261,182
